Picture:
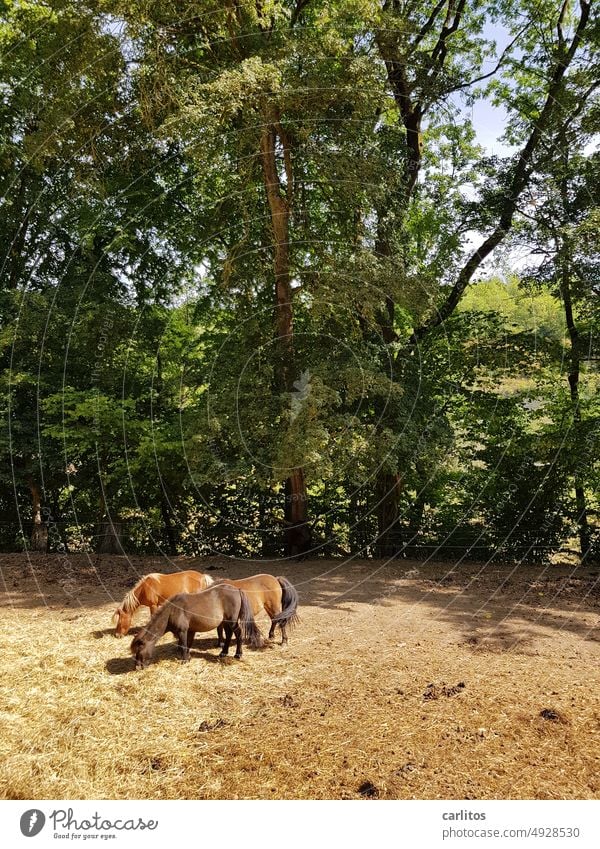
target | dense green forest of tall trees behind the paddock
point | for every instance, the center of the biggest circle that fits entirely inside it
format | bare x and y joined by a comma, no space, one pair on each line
266,290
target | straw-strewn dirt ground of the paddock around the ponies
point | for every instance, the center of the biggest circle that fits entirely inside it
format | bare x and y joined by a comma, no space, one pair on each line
403,680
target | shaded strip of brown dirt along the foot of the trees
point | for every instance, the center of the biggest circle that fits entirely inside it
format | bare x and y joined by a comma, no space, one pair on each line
493,607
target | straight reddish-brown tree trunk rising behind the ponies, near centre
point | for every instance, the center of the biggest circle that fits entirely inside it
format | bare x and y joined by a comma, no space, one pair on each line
298,533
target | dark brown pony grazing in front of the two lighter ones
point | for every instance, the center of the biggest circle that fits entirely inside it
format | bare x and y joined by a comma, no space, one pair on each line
219,606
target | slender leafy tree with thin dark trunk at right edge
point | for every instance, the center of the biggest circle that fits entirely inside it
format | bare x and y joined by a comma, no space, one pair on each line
562,219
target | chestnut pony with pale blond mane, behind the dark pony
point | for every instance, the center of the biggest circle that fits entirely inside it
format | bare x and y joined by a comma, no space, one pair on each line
154,589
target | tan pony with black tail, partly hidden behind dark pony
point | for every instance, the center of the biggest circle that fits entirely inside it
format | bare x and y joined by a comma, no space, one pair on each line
276,596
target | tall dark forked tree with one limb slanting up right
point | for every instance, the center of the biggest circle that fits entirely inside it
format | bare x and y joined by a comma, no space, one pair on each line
448,48
